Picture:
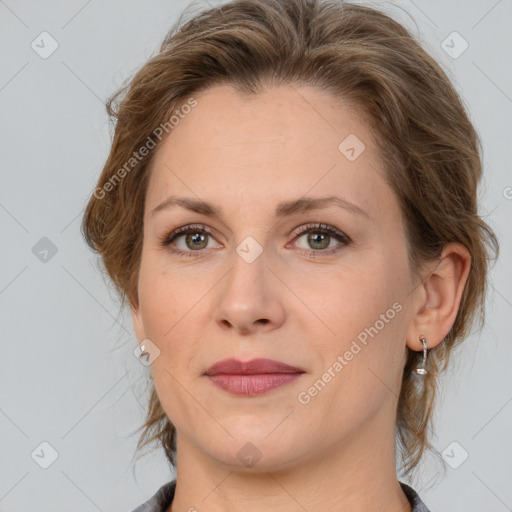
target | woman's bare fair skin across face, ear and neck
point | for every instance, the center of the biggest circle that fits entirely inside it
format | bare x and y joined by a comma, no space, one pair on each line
245,154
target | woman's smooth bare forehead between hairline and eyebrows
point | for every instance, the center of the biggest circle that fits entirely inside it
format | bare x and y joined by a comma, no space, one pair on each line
282,143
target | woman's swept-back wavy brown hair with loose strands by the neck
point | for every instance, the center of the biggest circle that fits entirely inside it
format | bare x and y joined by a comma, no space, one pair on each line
425,138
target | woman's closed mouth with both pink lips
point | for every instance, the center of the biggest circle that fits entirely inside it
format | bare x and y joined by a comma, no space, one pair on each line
253,377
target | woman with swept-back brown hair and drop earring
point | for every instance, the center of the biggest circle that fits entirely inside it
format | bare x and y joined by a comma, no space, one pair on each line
289,209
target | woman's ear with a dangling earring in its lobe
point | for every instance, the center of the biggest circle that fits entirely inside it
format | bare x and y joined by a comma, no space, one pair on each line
439,297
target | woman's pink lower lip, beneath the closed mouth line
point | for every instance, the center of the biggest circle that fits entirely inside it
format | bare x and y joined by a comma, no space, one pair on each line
251,385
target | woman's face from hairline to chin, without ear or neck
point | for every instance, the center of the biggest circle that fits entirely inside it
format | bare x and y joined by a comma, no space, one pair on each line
321,286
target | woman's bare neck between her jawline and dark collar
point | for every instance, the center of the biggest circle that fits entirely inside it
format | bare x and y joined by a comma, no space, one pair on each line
357,474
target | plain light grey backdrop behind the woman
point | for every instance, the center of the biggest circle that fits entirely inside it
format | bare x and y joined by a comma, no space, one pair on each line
68,375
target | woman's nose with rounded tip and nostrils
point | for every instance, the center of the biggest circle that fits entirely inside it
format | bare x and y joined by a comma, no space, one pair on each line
250,300
